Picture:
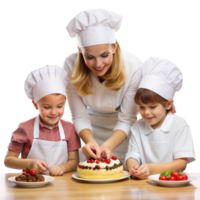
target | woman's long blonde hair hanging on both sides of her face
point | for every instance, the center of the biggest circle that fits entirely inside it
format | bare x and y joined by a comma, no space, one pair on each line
81,77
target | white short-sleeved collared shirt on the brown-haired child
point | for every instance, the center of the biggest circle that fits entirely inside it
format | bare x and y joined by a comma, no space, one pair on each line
171,141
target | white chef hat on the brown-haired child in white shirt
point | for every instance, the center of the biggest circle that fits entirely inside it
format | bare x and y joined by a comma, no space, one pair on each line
162,77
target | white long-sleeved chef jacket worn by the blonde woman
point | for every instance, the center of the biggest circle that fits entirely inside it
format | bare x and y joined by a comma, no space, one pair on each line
105,103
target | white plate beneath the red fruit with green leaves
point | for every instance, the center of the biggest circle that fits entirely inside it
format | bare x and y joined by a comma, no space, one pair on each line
155,178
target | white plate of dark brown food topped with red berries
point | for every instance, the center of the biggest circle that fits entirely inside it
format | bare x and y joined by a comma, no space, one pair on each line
30,178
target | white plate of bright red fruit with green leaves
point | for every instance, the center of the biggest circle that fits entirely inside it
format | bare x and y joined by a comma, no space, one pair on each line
172,178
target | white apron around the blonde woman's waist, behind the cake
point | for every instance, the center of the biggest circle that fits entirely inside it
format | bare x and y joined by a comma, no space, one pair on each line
102,128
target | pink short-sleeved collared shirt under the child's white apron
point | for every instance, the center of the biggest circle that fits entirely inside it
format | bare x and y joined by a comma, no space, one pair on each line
22,137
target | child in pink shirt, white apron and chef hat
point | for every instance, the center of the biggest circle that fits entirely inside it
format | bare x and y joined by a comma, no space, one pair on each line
46,141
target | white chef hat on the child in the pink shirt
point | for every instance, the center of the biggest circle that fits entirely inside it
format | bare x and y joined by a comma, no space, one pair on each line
44,81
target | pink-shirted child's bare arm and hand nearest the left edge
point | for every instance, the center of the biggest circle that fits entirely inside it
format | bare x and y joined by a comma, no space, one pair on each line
12,160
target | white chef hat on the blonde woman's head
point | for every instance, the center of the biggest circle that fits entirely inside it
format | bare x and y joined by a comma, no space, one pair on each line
94,26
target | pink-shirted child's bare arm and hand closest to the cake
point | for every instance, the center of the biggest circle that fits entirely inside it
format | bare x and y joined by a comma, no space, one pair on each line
71,164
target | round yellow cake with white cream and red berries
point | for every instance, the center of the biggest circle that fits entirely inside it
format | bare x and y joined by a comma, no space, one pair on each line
100,169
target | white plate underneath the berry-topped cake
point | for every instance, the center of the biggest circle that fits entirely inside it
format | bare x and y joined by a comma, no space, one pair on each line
126,175
